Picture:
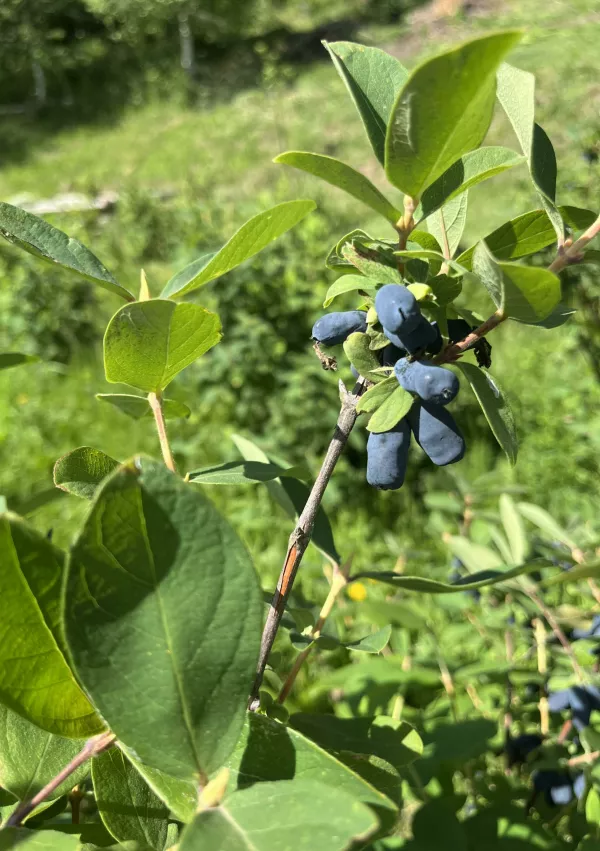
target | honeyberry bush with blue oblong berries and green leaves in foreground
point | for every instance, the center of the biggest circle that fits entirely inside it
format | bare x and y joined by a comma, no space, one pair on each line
140,706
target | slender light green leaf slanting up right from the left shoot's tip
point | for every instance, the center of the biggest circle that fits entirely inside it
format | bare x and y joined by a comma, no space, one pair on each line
251,238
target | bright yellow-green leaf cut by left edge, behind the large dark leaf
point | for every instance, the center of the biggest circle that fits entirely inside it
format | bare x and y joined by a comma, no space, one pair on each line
35,680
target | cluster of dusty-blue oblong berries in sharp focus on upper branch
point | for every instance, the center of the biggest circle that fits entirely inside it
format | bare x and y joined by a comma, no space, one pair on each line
411,339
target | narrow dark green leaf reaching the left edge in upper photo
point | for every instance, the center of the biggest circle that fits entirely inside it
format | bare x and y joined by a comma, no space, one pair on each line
37,237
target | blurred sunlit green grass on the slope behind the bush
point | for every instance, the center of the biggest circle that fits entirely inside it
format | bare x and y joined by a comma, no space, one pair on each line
215,167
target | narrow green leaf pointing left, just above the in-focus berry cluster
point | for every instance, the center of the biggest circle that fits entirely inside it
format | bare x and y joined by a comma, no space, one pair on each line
342,176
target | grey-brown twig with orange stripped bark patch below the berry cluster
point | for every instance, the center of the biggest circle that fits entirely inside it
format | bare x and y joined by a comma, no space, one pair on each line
300,537
